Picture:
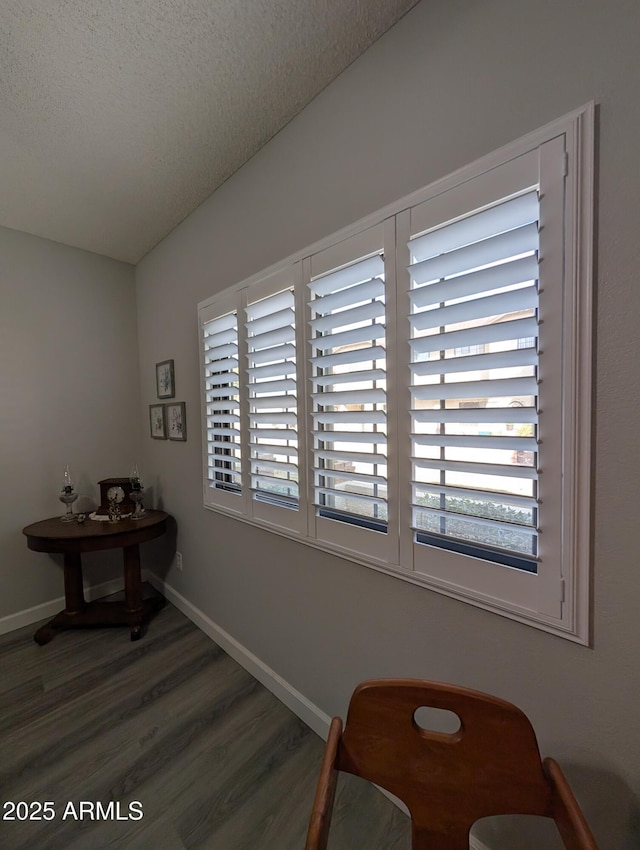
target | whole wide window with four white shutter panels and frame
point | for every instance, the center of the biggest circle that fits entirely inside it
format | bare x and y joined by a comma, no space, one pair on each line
414,393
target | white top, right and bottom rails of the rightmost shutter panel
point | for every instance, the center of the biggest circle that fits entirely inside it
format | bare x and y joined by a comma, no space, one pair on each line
456,567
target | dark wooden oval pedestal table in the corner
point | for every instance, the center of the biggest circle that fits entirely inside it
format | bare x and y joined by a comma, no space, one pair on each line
71,539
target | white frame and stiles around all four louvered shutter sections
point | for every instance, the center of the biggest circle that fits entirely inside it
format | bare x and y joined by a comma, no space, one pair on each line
557,599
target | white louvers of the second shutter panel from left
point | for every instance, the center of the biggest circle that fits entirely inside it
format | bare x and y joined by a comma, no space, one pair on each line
273,403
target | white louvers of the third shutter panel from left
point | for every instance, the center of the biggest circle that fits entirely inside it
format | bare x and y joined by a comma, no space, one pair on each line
349,393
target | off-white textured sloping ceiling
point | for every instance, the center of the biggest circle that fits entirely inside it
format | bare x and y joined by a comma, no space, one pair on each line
119,117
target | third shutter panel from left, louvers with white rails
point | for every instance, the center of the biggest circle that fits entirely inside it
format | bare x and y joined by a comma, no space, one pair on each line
348,336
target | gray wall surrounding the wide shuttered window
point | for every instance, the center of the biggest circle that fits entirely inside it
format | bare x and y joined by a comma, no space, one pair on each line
451,82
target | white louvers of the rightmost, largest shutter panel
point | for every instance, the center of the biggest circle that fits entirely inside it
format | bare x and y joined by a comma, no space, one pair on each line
474,391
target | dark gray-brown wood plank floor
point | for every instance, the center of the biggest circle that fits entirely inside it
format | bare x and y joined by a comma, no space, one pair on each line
214,759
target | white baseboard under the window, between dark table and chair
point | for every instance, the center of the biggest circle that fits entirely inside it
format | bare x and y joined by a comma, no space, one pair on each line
286,693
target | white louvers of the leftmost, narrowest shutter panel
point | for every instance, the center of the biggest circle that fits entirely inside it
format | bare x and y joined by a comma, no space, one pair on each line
222,403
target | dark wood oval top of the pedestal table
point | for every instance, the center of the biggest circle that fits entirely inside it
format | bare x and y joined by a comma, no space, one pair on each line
53,535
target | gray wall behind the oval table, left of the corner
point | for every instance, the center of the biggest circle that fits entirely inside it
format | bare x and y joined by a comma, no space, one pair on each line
69,393
